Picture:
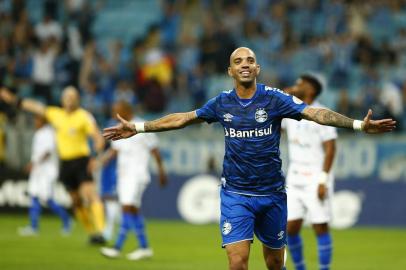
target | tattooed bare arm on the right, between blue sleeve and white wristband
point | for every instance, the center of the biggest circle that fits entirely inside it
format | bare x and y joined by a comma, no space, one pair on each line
327,117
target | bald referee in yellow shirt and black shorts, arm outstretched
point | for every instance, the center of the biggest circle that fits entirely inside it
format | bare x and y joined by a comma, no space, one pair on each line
73,126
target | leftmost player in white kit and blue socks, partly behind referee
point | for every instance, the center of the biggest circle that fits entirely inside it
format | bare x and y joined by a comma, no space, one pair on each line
43,175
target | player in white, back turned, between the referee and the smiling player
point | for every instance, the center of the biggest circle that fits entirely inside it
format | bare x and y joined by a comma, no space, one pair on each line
133,178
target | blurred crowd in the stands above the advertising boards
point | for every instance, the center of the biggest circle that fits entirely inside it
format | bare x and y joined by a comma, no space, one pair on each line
359,46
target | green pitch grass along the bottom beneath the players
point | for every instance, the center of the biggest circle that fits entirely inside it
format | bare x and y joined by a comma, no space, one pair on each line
179,246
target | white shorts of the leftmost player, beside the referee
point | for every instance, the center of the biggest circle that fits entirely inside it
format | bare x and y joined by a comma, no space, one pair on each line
41,184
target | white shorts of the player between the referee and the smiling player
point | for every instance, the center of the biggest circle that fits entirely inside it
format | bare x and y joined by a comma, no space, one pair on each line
130,190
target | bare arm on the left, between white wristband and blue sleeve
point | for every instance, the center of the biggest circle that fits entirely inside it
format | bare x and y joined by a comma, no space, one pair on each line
172,121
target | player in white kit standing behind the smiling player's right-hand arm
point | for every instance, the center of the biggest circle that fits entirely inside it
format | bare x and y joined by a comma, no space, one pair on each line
309,179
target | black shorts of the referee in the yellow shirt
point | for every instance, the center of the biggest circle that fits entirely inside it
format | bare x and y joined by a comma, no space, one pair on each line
74,172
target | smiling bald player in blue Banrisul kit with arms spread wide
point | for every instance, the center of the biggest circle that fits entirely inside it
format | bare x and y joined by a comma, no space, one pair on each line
253,198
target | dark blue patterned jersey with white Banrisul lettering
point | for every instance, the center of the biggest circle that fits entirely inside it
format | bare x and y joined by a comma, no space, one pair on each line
252,163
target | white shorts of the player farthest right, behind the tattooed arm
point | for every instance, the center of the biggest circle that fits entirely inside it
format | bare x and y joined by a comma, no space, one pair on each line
304,203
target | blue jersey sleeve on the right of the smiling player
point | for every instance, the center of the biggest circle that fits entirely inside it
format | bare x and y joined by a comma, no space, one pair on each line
289,106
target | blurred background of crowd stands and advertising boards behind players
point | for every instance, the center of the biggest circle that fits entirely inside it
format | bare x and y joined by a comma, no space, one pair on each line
169,56
